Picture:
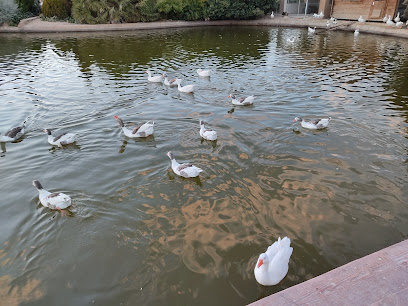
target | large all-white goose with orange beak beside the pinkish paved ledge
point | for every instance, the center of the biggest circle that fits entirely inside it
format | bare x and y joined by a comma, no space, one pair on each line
273,265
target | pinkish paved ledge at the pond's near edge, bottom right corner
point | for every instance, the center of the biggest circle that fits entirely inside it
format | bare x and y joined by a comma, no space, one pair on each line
380,278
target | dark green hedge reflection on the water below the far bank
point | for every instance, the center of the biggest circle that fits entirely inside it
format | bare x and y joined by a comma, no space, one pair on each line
176,46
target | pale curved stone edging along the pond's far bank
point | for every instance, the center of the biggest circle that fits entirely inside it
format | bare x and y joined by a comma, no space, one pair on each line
36,25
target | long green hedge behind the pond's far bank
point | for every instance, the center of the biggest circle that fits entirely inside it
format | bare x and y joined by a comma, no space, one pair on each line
117,11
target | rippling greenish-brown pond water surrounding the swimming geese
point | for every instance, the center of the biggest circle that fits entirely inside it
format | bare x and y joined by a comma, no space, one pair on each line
136,233
